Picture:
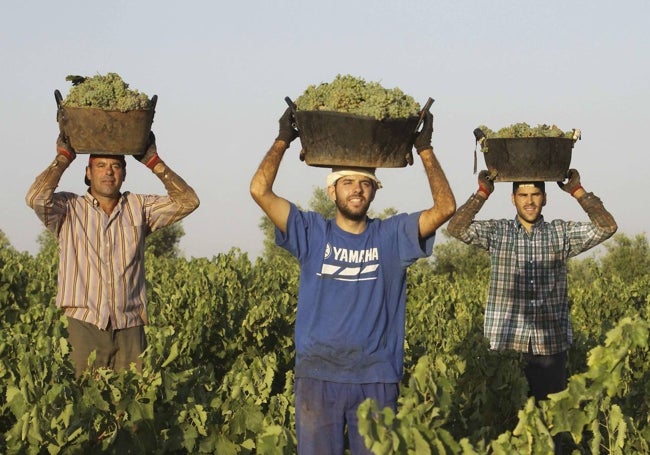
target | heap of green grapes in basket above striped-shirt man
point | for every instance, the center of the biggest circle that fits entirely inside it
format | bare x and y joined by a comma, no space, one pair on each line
107,92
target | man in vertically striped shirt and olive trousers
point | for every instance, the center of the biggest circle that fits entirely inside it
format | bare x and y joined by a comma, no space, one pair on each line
101,236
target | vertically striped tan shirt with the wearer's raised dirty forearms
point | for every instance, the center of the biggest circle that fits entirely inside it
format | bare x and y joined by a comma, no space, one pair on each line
101,275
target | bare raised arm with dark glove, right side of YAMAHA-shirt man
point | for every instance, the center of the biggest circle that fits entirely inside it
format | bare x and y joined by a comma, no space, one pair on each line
444,203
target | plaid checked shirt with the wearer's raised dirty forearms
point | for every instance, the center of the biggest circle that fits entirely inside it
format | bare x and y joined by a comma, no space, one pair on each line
527,303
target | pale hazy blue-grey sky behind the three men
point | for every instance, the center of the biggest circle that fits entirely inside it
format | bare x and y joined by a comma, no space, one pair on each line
221,71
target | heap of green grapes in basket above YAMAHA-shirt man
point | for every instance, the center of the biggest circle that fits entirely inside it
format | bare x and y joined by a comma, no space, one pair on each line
354,95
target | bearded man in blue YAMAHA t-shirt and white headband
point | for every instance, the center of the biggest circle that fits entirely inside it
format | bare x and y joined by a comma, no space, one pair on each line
351,302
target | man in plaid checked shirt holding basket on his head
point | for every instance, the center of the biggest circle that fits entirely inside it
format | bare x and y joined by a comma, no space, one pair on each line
527,308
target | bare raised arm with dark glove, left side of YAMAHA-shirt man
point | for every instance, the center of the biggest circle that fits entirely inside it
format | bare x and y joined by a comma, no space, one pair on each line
261,188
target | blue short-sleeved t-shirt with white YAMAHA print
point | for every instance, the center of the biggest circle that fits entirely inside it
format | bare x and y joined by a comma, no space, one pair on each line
352,296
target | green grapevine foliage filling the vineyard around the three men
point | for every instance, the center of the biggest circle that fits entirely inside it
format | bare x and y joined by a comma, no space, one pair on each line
217,374
